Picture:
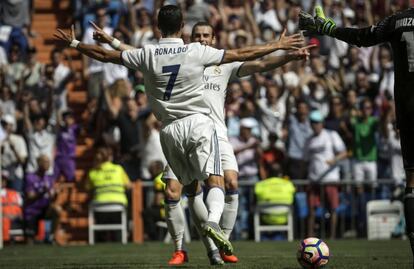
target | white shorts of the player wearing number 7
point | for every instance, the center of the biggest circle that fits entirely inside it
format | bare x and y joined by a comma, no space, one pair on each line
191,148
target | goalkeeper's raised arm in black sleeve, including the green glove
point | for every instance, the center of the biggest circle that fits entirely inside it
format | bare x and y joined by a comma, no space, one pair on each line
361,37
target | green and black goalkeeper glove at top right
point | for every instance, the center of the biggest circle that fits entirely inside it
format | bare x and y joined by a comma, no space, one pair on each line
318,24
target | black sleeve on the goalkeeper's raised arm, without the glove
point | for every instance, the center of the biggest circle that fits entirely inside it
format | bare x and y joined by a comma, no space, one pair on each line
369,36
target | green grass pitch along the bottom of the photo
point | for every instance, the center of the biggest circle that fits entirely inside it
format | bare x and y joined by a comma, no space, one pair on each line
344,254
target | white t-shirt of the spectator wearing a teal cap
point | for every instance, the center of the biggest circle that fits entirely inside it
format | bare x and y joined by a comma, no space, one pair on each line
318,150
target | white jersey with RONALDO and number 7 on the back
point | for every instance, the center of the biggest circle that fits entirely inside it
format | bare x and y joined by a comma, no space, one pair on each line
173,75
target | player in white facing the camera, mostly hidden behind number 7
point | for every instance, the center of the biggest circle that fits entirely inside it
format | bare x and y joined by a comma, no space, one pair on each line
215,85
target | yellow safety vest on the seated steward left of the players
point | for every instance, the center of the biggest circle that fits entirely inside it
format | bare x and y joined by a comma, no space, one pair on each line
108,183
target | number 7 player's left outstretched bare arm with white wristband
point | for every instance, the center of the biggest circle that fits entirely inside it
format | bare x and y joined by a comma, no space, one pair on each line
94,51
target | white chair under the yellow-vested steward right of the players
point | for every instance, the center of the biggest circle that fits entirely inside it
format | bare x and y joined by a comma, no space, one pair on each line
273,209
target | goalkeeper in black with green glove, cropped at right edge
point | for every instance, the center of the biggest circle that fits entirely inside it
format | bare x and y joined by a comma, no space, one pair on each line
398,30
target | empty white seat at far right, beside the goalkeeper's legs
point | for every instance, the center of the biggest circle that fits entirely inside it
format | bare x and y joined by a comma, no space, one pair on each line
382,218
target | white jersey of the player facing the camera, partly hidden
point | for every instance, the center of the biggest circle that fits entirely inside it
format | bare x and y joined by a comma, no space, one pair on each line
215,80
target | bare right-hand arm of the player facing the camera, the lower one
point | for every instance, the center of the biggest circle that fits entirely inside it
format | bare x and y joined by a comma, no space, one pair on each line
251,67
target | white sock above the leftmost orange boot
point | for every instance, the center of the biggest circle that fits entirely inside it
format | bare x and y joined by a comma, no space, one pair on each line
175,219
